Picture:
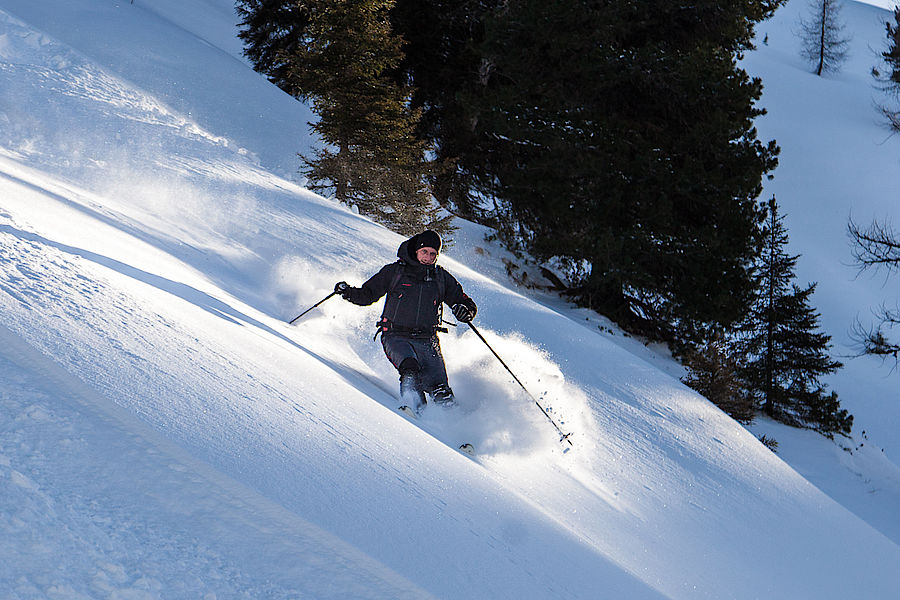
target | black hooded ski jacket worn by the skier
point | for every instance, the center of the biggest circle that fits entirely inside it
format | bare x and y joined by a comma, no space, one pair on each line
415,294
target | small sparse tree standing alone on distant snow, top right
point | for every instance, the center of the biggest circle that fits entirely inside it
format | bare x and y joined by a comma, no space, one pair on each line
822,36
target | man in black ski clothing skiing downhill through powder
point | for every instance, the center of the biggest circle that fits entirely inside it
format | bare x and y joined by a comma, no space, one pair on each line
416,290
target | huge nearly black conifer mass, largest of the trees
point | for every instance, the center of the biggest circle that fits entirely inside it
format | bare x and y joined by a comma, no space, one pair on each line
620,134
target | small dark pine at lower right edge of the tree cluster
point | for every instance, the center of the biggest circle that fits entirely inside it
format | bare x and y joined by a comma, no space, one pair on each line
785,354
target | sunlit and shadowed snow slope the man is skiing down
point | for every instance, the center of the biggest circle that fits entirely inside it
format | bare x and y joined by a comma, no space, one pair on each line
165,434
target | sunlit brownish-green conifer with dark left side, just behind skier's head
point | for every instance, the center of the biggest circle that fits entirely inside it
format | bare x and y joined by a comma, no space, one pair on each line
342,55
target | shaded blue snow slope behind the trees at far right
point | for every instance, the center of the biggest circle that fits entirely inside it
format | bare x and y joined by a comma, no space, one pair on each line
838,161
